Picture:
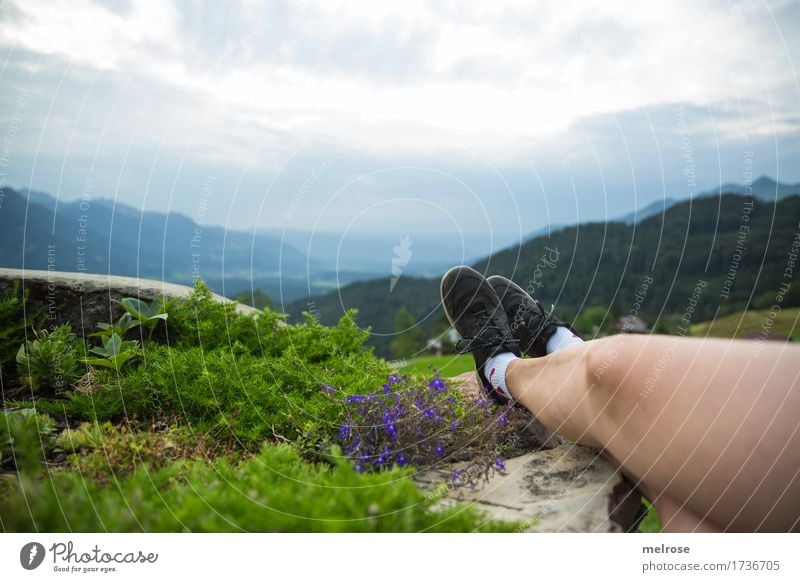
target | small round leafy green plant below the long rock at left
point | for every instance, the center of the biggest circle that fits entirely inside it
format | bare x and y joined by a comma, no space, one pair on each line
50,363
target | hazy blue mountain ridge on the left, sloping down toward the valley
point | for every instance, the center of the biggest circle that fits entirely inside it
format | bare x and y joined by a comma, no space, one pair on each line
100,236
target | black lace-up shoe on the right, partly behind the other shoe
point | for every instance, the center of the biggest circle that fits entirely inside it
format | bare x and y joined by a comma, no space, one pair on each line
530,324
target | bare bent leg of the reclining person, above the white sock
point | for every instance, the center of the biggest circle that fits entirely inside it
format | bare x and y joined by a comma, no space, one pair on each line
709,429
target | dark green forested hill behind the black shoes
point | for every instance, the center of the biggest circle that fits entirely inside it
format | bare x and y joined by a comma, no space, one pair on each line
737,246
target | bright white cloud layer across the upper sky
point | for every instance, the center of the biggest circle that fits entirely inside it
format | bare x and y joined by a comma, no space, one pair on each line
476,75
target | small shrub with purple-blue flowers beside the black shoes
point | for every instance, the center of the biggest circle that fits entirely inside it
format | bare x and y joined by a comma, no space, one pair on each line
423,424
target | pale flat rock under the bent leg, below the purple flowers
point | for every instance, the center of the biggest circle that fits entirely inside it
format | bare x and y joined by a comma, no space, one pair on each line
570,488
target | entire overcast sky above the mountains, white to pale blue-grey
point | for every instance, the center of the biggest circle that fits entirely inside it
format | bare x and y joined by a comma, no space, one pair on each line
368,116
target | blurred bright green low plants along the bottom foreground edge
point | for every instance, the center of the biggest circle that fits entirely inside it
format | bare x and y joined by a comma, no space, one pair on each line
274,491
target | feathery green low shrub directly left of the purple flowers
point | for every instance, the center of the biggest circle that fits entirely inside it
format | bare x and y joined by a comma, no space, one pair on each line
240,395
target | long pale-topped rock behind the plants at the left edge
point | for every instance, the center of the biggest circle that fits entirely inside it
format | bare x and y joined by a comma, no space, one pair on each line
84,300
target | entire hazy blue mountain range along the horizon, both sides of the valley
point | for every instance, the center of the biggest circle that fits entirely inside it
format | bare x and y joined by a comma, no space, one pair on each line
294,267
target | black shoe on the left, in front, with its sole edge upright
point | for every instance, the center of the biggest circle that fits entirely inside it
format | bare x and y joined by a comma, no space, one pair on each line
475,311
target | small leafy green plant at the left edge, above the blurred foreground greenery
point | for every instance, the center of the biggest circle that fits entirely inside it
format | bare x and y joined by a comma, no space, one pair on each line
25,438
